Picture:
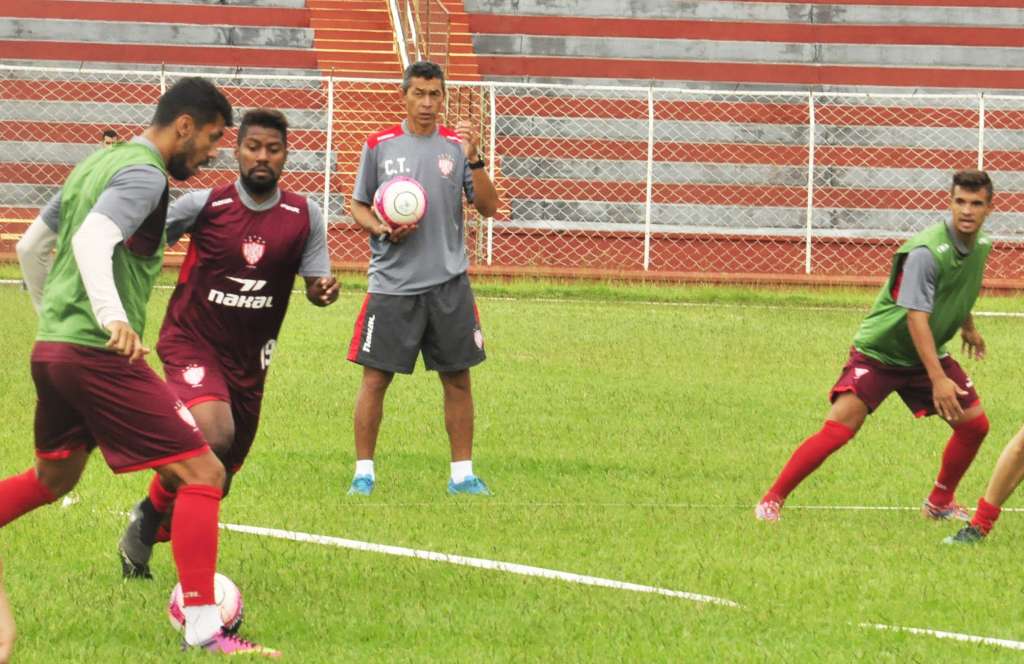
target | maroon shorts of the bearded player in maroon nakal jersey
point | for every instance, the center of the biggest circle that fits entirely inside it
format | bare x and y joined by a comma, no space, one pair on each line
196,373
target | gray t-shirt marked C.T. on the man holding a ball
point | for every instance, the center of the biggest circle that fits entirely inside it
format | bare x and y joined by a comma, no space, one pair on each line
437,252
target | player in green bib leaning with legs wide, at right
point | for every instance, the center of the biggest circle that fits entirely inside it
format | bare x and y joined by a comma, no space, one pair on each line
902,347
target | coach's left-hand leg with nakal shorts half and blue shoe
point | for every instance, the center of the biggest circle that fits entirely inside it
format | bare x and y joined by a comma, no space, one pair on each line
386,341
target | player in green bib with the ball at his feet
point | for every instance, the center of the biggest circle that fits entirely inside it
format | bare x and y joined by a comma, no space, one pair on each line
94,389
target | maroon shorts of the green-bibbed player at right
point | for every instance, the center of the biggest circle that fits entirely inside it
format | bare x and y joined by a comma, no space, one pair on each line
872,382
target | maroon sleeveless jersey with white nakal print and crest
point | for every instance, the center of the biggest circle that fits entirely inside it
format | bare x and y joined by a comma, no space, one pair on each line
237,279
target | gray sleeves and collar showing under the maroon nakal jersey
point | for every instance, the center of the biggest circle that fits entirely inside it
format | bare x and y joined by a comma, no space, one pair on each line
316,262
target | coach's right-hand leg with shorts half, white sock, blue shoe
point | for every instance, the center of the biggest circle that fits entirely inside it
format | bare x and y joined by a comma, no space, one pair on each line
453,344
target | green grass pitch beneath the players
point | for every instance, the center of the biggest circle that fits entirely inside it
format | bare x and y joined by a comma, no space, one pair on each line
628,433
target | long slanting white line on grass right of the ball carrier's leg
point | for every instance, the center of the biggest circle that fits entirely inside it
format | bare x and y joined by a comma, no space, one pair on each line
511,568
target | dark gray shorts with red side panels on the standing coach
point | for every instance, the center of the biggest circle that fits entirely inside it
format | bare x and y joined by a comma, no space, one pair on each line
443,323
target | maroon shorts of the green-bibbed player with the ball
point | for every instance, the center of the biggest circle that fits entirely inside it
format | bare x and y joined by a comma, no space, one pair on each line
90,397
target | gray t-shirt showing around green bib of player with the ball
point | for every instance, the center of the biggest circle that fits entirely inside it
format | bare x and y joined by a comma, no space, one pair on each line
131,197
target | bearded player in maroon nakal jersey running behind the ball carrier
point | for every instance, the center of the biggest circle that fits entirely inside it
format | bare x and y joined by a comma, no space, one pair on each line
249,240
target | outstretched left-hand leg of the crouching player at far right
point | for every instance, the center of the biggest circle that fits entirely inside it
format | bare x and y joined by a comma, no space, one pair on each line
863,386
